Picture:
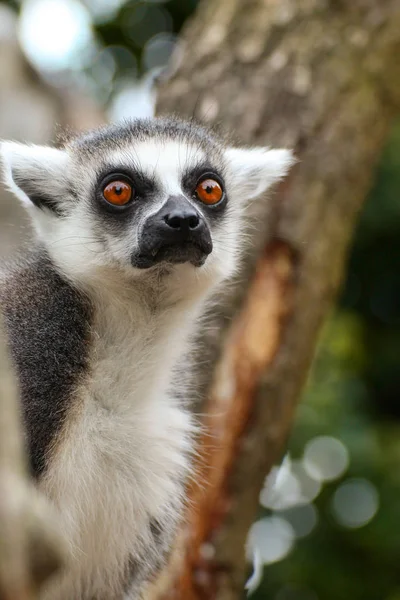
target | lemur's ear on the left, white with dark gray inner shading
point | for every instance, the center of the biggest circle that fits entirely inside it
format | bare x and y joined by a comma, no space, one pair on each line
35,174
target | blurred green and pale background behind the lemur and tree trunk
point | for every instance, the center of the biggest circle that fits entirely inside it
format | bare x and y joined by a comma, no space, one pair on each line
329,516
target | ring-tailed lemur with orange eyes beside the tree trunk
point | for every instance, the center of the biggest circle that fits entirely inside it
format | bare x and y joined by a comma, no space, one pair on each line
136,225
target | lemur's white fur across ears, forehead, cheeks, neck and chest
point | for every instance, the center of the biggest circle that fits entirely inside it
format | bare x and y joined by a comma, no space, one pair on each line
125,452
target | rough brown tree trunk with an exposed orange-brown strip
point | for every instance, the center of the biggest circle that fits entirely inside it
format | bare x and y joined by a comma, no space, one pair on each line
322,77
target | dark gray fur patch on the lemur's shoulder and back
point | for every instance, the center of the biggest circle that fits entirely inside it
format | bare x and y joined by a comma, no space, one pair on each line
48,324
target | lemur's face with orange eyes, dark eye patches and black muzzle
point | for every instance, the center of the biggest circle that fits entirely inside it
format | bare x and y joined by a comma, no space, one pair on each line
158,201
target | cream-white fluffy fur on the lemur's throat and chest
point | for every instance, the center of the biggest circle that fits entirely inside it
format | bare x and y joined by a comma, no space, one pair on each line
118,476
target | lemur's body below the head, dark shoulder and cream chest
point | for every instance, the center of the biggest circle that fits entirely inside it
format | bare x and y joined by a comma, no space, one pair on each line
115,459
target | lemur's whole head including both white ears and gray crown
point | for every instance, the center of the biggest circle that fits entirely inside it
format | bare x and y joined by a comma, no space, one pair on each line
147,196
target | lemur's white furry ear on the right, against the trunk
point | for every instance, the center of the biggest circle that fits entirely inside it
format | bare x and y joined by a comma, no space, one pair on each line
253,170
